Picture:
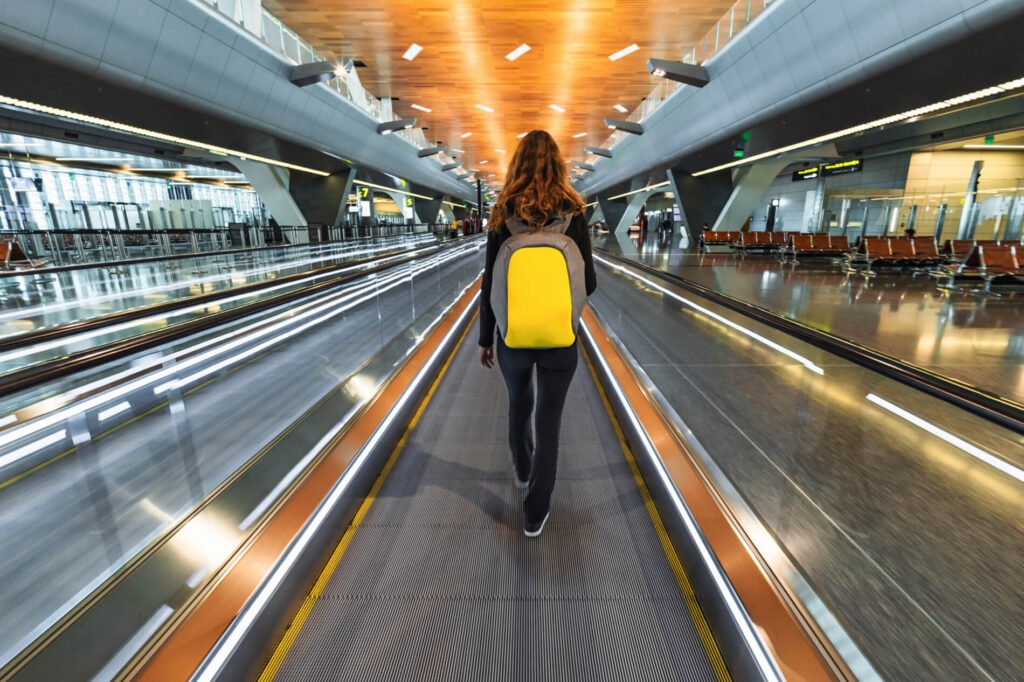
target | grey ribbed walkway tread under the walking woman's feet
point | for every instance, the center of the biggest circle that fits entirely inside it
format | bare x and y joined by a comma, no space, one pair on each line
437,580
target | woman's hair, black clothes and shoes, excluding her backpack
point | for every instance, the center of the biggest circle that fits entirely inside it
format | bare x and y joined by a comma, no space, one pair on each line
537,195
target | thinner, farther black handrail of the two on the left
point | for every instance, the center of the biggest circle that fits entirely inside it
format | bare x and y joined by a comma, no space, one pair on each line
62,331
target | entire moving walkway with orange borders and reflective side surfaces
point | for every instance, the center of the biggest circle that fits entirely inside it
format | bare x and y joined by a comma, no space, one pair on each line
339,504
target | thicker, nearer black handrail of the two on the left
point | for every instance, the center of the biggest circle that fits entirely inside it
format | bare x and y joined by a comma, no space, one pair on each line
34,375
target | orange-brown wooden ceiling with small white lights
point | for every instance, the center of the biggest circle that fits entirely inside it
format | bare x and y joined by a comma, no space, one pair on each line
463,62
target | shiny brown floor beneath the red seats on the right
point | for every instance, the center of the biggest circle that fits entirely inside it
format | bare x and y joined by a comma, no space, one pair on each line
975,339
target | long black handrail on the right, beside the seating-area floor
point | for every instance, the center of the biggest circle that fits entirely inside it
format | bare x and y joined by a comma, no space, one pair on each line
976,401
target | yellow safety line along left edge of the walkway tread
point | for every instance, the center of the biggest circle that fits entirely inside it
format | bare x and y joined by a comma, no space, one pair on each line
308,606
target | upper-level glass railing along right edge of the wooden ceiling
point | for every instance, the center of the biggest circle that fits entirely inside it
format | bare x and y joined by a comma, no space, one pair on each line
741,15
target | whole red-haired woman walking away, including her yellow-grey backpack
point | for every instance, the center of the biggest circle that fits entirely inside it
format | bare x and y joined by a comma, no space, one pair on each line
535,284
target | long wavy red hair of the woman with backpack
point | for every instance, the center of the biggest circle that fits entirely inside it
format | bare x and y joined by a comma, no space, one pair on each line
537,186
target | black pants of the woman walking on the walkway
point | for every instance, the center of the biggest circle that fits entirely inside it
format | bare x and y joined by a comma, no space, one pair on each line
556,368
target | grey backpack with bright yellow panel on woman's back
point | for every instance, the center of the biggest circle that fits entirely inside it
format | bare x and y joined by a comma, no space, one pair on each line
538,288
